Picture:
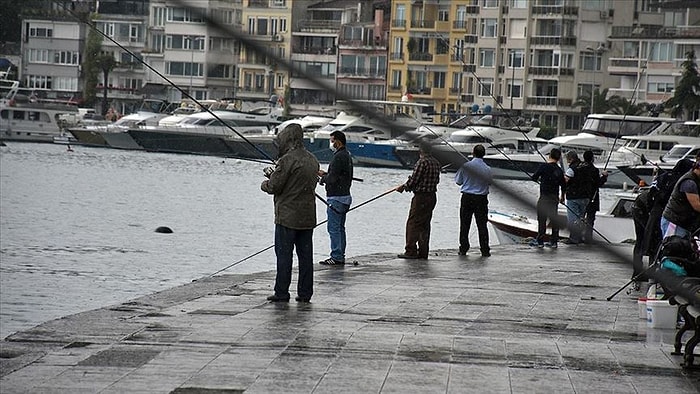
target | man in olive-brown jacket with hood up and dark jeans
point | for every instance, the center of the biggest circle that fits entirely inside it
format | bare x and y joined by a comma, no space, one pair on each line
293,184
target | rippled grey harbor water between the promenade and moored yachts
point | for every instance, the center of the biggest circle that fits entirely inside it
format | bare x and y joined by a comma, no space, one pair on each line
77,228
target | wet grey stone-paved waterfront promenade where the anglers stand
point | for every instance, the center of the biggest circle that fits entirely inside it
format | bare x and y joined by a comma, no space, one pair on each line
522,321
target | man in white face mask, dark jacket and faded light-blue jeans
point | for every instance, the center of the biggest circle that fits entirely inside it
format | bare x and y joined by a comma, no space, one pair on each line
337,180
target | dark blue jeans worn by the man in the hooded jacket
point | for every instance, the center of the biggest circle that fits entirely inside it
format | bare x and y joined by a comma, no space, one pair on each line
286,239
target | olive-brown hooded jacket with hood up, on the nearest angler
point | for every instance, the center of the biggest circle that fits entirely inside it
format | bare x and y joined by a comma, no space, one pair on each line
293,182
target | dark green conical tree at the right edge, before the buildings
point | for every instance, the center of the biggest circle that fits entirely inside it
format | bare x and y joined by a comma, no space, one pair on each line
686,97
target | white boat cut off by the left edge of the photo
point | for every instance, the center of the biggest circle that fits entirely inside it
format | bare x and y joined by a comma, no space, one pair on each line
24,116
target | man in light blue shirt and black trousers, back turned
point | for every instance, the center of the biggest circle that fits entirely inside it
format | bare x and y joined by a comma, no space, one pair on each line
474,178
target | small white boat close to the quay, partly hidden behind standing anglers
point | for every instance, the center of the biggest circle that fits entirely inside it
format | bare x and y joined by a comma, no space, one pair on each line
614,226
